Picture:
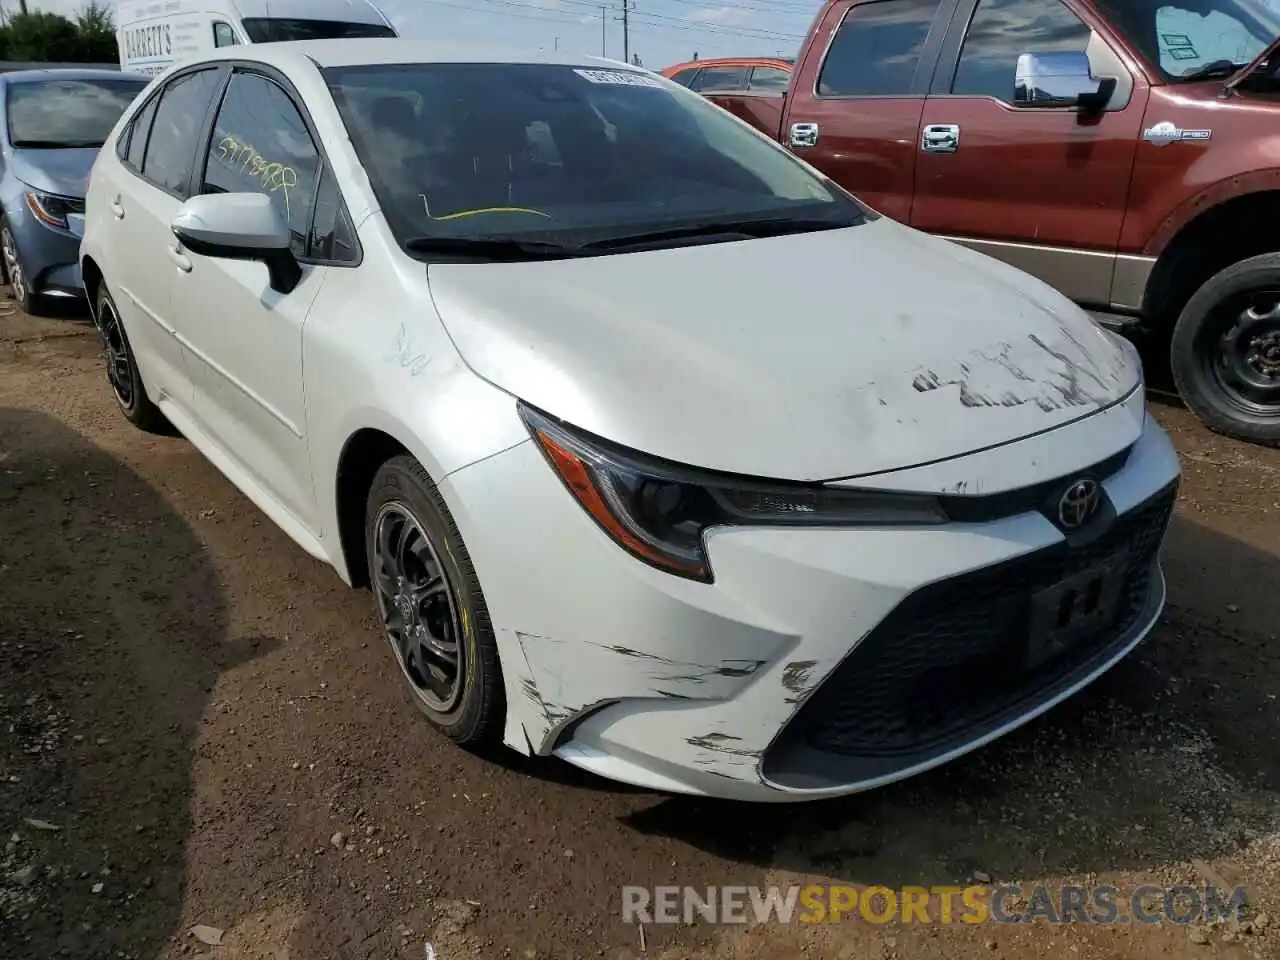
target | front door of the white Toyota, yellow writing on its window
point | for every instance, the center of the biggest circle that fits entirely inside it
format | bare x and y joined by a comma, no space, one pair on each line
245,339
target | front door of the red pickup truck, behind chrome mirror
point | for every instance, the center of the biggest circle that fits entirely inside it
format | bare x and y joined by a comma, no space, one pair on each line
1043,188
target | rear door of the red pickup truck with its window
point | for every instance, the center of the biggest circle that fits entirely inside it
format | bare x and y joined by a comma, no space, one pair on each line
858,97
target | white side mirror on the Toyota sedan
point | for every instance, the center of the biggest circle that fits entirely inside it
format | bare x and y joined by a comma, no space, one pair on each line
240,227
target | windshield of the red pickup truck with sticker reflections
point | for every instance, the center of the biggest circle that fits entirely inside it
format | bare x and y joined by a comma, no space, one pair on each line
1182,38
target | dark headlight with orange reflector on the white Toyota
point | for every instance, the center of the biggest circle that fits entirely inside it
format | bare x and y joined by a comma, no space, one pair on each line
659,511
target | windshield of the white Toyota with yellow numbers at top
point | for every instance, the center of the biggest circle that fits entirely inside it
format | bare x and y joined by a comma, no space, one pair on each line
564,154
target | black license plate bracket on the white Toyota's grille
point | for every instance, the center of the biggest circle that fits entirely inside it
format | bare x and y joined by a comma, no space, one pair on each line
1075,607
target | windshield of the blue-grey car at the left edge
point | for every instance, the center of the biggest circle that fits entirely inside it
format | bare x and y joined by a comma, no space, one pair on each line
67,113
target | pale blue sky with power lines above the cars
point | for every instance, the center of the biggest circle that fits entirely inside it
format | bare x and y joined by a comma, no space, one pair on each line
661,31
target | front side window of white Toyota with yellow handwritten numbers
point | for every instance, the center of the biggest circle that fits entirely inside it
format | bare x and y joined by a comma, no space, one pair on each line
262,145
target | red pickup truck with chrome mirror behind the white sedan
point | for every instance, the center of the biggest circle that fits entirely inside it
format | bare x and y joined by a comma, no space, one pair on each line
1124,152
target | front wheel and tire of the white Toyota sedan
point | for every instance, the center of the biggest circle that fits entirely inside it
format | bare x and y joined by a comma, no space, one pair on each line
431,604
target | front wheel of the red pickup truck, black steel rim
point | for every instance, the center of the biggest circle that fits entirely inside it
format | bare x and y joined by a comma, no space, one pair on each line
1226,351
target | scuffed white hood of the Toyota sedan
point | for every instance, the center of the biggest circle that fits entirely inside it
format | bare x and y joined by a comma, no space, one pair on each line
813,356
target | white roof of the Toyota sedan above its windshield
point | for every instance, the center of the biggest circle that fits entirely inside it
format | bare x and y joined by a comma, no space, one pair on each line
369,52
